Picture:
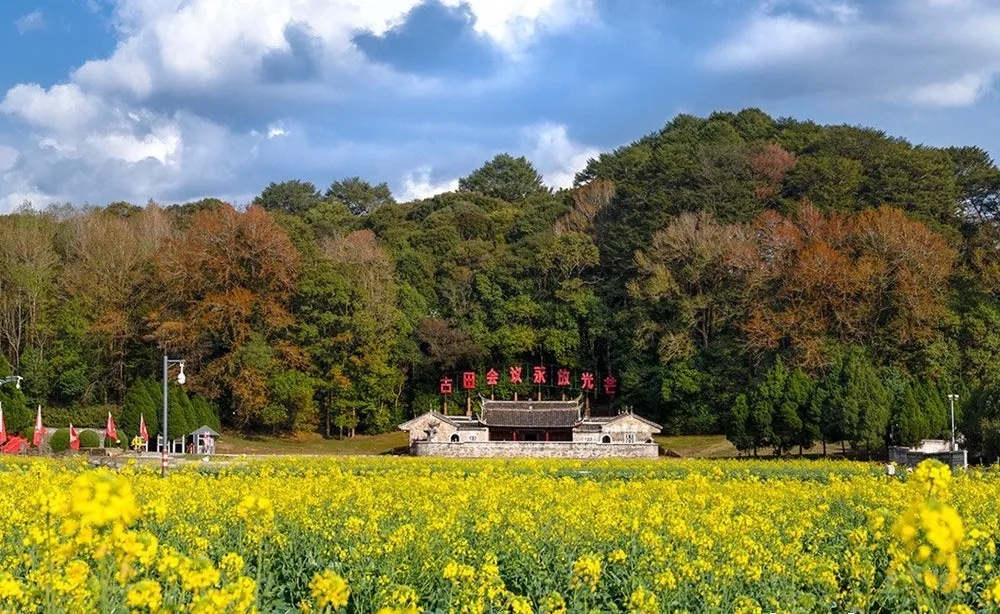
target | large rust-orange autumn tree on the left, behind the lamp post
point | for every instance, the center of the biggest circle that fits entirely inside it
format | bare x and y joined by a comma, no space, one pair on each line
227,285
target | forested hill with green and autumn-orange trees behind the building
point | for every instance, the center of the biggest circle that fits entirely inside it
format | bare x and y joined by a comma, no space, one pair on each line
777,280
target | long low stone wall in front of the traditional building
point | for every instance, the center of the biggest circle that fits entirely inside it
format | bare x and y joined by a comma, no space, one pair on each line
547,449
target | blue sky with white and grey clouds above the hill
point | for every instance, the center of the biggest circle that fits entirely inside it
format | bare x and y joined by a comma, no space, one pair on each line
176,100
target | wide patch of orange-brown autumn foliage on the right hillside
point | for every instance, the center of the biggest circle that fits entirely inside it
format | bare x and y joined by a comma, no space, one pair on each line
875,279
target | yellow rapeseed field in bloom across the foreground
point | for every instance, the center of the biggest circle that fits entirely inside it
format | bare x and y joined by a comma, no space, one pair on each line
383,535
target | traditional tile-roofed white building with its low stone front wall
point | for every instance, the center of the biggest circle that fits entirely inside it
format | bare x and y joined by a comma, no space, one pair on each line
531,428
